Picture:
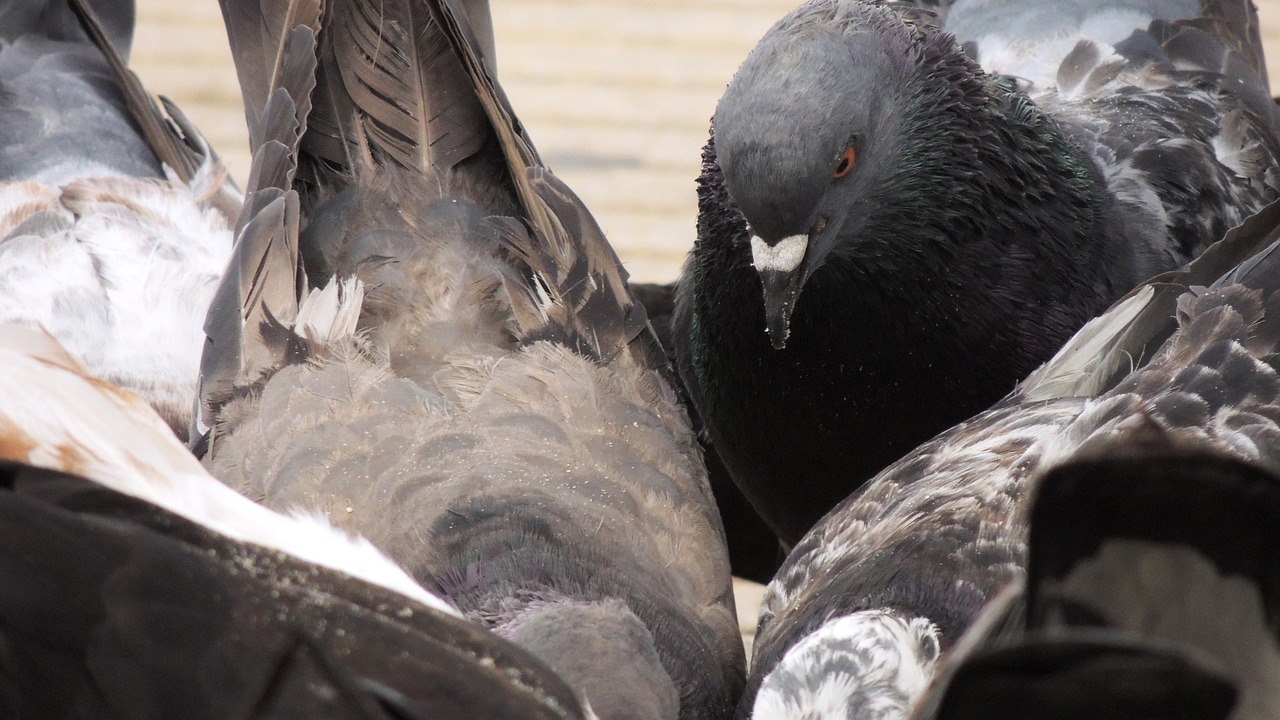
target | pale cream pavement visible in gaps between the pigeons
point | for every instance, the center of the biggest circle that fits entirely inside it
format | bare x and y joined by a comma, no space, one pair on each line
615,94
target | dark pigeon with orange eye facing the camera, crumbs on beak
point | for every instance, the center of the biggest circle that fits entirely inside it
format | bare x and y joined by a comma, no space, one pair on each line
902,217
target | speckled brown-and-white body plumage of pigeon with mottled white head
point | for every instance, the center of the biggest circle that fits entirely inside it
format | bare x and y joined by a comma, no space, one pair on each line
940,532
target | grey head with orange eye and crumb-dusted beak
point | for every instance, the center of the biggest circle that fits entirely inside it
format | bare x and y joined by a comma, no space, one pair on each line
806,131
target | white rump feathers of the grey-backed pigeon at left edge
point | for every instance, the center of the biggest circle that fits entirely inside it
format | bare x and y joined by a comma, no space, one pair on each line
121,271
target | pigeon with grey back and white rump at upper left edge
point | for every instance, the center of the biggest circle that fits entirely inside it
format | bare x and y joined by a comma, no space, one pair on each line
116,220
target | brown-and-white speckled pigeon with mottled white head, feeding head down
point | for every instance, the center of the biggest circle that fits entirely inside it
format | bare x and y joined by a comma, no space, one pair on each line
894,576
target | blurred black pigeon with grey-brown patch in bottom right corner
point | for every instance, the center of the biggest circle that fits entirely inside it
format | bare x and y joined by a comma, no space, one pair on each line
1149,595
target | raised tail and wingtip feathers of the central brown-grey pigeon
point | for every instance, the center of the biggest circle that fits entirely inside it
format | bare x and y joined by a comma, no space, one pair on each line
406,93
